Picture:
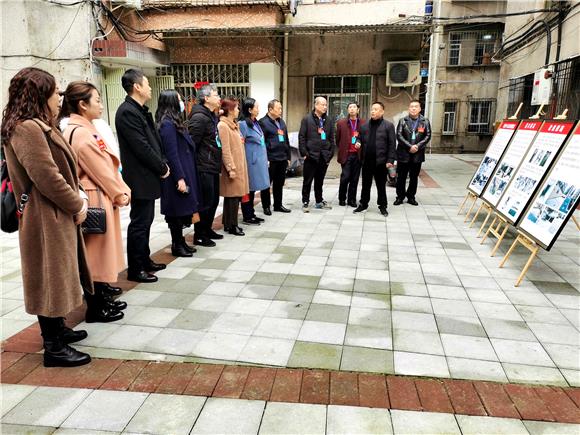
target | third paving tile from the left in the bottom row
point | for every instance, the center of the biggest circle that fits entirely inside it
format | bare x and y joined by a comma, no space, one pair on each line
106,410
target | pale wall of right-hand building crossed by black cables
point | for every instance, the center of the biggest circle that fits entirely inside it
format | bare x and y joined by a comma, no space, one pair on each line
532,57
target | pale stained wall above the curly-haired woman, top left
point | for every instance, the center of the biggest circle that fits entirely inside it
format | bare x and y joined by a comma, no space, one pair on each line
33,29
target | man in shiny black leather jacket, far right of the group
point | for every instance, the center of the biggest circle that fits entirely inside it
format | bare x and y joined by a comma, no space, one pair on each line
413,135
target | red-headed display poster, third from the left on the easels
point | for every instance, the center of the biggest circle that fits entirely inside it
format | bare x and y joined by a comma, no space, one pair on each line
534,167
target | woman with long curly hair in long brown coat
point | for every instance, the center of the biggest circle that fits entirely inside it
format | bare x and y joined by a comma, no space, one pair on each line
43,165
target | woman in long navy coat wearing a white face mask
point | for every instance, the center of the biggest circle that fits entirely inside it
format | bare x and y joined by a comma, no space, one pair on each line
179,191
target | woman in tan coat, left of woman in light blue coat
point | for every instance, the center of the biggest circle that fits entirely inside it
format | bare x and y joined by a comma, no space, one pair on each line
234,176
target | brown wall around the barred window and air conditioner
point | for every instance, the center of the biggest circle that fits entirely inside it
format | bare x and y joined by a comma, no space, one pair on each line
363,54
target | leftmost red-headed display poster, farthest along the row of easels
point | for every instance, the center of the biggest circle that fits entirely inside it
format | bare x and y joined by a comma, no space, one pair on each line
492,155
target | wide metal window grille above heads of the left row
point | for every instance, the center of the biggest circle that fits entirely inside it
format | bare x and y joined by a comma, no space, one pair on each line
230,80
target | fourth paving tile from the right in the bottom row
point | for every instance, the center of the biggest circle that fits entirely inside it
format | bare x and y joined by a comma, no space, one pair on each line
356,420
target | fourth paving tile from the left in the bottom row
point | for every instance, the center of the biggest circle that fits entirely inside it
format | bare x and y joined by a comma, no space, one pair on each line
165,413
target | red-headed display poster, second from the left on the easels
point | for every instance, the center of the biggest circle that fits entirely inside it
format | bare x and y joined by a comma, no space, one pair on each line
511,159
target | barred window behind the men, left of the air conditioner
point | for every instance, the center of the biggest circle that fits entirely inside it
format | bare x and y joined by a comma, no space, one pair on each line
342,90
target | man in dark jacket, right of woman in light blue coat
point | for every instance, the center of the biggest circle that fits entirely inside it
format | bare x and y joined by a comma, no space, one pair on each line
278,147
